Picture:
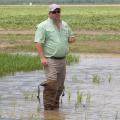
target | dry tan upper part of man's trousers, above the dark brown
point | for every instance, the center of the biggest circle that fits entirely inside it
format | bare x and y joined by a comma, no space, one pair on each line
56,70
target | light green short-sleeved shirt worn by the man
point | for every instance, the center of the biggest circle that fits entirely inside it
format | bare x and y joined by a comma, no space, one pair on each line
55,42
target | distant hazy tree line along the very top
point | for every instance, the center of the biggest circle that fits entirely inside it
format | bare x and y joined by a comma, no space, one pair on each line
59,1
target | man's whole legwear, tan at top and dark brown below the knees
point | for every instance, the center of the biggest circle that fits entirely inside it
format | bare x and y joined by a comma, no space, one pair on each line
55,72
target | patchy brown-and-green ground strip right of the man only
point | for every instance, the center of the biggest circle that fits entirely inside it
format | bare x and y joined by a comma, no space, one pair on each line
104,43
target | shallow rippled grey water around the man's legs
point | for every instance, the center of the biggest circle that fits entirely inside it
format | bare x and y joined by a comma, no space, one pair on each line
96,79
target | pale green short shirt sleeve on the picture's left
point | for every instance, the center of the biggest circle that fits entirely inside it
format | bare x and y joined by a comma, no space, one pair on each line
40,34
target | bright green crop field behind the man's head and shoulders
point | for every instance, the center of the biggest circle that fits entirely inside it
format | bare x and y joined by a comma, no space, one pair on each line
79,17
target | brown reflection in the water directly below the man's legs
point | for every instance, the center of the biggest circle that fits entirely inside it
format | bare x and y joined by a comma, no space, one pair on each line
53,115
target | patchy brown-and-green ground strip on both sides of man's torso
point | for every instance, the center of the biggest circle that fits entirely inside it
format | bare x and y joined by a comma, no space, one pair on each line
87,43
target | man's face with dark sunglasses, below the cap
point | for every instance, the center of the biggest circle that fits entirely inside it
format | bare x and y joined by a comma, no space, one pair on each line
55,15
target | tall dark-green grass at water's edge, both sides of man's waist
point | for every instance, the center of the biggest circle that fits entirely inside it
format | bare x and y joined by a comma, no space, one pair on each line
11,63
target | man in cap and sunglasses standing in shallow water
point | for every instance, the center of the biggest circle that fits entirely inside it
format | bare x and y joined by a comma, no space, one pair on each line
52,40
